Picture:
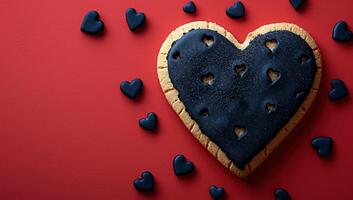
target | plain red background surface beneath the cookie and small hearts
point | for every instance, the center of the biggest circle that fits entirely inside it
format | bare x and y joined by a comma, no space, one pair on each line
66,131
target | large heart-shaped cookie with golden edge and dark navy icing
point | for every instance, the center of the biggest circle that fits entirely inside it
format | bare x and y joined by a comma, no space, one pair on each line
239,100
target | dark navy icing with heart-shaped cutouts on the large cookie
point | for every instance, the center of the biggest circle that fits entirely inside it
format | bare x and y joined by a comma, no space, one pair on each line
239,100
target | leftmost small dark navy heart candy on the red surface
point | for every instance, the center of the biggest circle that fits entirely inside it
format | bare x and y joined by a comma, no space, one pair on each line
91,23
